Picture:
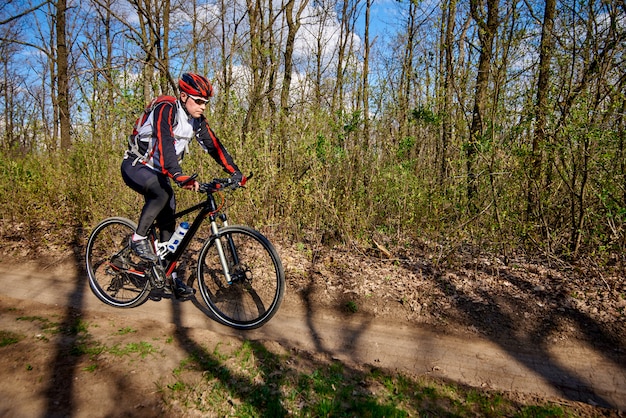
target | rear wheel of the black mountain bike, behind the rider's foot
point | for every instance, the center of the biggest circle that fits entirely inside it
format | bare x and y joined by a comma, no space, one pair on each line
110,264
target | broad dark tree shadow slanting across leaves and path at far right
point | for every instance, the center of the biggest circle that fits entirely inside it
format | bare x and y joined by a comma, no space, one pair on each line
499,317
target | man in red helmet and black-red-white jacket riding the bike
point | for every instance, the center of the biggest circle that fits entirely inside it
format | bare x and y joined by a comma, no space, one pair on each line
156,148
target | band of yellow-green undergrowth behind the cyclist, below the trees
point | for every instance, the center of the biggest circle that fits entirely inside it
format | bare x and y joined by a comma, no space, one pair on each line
318,179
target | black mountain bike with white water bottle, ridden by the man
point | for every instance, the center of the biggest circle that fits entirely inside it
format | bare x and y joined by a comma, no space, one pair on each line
239,272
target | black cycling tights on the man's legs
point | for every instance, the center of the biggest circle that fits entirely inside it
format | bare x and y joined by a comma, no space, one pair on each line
158,195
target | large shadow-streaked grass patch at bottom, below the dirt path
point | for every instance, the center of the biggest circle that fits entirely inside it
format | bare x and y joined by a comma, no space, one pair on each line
251,381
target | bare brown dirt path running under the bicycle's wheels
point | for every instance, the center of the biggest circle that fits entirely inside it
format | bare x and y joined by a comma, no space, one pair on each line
570,370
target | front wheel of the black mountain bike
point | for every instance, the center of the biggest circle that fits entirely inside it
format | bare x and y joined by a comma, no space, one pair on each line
258,284
